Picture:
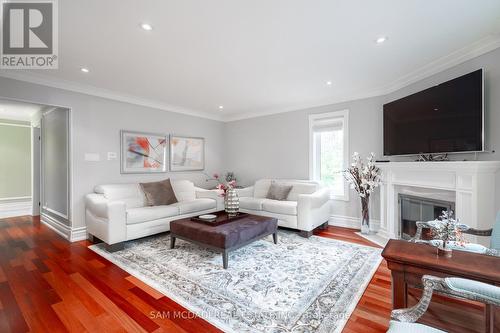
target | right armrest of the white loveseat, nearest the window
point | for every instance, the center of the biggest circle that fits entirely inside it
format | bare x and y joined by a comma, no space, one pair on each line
313,209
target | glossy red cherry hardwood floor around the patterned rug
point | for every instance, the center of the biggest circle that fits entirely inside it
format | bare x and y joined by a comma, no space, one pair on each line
48,284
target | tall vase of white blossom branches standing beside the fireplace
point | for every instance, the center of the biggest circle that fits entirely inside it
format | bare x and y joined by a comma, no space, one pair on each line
363,178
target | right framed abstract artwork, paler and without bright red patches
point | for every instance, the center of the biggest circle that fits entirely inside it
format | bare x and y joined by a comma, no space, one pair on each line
187,153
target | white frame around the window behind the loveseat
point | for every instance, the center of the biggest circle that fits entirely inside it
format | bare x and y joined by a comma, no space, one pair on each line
342,115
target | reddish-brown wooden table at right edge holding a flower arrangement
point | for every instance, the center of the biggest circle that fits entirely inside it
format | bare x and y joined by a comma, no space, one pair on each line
408,262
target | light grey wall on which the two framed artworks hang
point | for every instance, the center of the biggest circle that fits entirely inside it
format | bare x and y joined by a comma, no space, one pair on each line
95,126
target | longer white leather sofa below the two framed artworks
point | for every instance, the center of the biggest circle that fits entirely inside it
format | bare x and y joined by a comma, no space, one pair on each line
117,213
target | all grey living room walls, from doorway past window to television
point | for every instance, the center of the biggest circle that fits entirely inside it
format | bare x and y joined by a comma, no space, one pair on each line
270,146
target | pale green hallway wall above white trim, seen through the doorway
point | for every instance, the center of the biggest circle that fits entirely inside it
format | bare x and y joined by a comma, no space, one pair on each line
15,160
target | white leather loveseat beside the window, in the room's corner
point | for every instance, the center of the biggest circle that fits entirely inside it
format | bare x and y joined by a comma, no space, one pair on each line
306,208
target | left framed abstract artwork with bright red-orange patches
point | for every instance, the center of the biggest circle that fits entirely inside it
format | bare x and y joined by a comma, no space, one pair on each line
143,152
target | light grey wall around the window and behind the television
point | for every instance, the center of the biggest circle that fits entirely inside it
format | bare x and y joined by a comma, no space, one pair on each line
277,145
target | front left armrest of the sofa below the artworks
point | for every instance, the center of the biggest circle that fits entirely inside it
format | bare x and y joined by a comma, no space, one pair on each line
107,219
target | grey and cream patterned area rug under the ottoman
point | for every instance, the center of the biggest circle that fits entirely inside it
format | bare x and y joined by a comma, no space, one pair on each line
299,285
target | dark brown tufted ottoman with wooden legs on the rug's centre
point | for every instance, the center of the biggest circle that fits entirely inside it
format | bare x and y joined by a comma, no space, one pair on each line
225,234
